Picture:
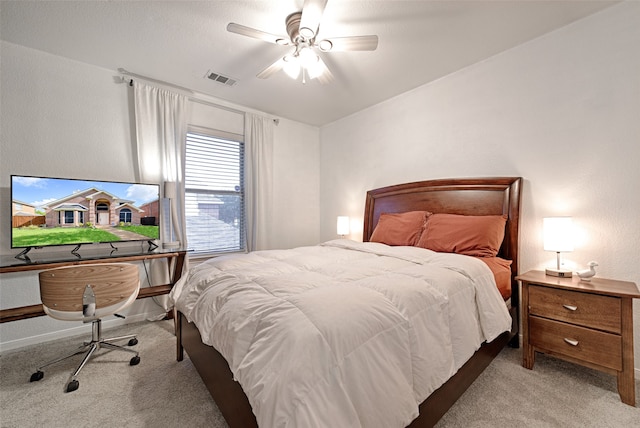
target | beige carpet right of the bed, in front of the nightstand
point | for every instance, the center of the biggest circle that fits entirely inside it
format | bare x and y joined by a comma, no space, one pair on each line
554,394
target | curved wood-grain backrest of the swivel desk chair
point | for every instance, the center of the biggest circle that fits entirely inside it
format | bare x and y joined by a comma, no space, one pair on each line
115,286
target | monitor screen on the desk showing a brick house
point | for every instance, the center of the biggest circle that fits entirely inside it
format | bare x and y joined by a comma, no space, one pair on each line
48,211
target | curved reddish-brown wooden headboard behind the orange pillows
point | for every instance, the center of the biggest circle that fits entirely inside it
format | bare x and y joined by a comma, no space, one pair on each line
467,196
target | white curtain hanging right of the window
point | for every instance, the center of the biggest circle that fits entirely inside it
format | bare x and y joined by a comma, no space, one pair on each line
258,140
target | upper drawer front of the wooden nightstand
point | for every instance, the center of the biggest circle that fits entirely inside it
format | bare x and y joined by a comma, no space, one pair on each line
588,310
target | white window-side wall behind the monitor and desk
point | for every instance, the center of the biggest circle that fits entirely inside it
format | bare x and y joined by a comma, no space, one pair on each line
64,118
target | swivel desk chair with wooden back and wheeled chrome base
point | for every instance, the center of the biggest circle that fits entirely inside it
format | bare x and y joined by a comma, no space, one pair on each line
88,293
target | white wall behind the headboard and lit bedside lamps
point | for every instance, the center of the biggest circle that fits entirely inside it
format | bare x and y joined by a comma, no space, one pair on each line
562,111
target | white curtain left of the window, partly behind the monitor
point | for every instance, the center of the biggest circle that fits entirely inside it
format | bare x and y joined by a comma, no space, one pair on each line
161,127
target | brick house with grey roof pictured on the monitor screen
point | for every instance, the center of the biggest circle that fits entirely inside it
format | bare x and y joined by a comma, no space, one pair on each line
94,206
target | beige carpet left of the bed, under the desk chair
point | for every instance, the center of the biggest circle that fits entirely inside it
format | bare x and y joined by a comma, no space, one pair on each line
159,392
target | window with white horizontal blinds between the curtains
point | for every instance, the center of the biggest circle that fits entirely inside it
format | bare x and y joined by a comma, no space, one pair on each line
214,193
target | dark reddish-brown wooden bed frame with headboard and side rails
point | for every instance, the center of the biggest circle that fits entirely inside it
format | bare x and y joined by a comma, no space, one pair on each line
469,196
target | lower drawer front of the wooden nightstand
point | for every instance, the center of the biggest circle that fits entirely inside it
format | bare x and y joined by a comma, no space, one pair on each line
596,347
